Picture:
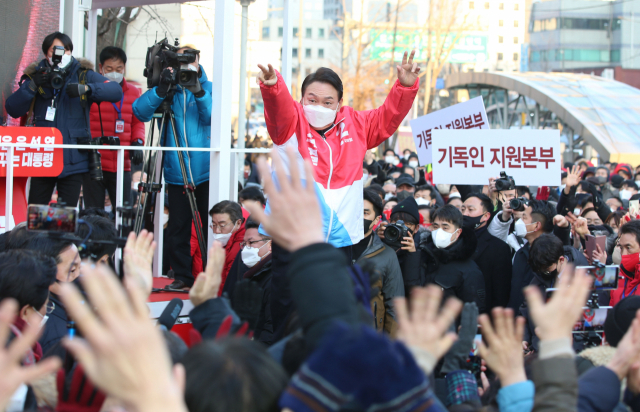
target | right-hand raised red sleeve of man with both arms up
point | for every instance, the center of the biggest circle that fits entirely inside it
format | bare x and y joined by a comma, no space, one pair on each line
382,122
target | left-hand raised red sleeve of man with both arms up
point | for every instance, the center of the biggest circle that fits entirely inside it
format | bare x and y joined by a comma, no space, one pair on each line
279,111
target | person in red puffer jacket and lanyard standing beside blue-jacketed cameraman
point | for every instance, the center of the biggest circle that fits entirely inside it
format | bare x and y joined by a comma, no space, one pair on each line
118,120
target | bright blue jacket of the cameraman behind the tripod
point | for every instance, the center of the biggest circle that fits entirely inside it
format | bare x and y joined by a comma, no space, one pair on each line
196,122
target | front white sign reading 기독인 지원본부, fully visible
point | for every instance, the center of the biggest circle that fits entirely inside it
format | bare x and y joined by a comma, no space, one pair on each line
471,157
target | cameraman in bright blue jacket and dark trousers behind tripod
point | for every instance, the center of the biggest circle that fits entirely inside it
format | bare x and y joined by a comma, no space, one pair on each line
192,109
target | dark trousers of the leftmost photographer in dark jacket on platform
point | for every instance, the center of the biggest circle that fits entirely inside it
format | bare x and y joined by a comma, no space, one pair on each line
41,189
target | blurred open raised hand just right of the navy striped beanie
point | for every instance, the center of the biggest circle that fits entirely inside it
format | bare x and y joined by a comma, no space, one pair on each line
426,325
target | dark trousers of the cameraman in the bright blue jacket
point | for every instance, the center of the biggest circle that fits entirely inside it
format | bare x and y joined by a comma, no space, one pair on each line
180,219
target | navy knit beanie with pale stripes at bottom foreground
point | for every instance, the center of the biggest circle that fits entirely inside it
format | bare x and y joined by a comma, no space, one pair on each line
357,365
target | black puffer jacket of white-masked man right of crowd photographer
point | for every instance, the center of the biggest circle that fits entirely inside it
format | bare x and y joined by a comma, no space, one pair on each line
453,269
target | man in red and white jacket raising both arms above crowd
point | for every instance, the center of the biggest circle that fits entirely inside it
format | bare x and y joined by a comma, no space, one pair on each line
335,138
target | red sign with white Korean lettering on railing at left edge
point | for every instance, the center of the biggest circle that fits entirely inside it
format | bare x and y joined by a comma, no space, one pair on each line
32,161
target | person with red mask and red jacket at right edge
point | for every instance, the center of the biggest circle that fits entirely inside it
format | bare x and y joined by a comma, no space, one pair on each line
630,264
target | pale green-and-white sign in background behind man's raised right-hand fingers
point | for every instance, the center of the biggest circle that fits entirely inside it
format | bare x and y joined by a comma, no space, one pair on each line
470,48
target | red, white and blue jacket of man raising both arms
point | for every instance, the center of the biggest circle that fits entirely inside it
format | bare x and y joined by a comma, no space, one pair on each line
337,155
